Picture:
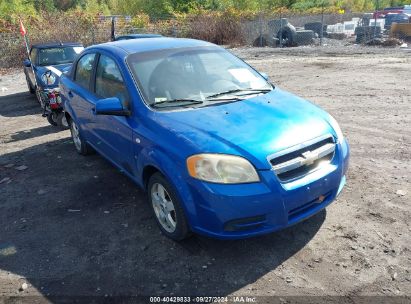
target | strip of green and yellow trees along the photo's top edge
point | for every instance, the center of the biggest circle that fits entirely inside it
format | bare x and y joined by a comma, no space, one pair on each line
10,9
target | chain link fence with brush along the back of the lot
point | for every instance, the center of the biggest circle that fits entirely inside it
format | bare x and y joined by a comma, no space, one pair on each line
275,30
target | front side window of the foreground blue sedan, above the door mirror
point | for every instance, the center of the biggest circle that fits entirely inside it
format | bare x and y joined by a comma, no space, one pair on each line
109,82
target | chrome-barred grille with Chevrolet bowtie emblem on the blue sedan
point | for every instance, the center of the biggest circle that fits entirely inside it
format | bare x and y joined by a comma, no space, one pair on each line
302,159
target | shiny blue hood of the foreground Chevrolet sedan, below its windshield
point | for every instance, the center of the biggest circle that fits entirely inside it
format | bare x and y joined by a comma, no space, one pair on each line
254,128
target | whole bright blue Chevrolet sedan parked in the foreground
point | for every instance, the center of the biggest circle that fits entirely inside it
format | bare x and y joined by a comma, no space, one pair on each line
220,151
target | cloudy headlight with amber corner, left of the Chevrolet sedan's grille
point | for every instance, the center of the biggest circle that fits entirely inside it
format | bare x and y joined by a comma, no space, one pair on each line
221,168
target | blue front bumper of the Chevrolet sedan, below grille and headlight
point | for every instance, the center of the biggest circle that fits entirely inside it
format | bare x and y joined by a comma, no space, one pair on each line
246,210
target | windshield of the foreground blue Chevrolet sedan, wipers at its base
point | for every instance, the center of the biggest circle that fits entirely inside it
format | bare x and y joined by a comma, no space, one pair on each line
197,75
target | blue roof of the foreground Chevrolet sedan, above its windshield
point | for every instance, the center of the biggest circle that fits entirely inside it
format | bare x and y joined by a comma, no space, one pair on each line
131,46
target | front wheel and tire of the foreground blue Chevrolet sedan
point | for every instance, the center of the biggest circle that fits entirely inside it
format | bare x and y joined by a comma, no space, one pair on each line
167,208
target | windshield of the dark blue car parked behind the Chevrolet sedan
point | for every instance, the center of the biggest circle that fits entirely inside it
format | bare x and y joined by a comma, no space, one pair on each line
58,55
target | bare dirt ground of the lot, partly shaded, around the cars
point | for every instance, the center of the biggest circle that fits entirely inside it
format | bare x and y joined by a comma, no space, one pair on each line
75,226
